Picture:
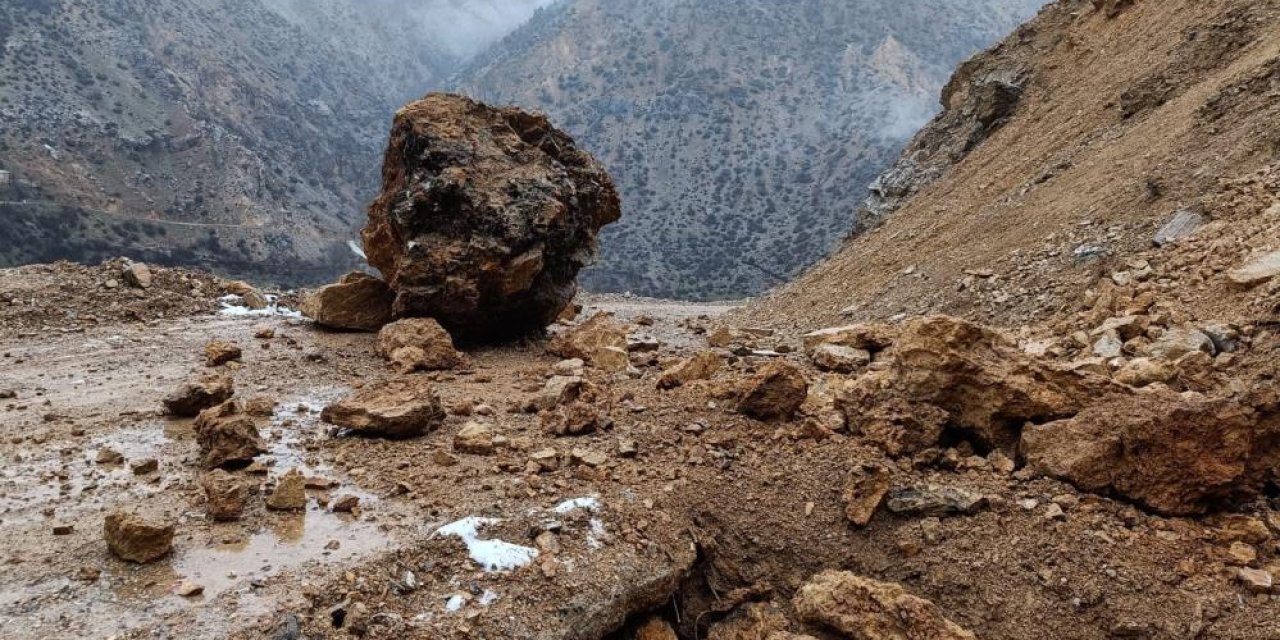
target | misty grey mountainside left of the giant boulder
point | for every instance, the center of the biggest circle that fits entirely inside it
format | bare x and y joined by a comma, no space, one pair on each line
237,135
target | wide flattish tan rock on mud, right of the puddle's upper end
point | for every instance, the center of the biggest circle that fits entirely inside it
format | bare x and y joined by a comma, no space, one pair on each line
401,408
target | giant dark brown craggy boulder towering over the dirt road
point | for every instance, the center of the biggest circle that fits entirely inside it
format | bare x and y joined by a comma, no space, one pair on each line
486,217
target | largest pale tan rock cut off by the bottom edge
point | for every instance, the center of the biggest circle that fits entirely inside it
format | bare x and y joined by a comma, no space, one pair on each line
865,610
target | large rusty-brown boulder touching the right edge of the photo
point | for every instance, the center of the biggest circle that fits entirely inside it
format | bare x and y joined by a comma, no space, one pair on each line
1177,455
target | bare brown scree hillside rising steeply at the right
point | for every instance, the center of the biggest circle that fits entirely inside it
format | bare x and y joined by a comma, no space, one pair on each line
1060,157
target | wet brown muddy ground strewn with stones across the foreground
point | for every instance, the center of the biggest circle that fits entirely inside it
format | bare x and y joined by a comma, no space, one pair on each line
712,510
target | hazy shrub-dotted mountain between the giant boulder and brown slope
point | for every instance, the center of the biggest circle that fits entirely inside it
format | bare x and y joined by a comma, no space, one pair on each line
743,134
